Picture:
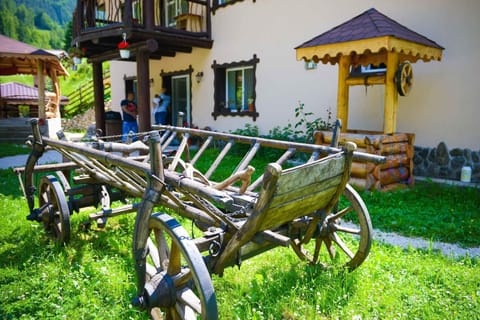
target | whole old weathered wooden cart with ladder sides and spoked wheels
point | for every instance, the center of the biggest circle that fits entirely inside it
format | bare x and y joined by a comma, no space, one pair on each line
308,206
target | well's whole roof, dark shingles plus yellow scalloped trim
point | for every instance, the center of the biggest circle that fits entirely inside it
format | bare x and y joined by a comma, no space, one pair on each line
366,37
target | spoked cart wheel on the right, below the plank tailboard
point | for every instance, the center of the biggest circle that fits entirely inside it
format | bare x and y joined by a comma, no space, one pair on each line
346,243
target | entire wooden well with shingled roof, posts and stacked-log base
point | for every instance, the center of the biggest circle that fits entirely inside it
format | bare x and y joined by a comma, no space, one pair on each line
373,40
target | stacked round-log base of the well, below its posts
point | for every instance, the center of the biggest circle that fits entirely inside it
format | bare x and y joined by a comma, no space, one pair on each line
398,148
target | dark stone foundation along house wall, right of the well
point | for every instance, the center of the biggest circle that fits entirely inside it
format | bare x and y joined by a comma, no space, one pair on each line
440,162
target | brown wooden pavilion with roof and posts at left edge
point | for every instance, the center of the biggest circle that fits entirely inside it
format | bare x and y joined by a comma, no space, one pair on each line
20,58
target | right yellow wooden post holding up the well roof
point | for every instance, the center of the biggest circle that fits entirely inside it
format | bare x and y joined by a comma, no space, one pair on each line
391,95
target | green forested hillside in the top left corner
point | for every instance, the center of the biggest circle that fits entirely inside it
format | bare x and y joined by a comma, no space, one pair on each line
39,23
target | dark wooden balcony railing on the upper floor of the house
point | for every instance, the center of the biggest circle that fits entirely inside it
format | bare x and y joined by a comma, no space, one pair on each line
191,17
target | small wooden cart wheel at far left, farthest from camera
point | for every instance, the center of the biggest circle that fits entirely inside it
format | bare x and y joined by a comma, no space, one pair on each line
53,209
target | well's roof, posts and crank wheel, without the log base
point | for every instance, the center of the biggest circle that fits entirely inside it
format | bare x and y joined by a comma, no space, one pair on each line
371,38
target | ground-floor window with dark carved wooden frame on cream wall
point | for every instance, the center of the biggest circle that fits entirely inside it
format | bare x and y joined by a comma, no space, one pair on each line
234,87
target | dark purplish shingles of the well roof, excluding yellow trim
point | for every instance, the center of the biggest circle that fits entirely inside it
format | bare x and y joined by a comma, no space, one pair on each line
369,24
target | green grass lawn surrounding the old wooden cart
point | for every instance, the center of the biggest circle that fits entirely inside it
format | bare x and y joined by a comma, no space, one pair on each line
93,276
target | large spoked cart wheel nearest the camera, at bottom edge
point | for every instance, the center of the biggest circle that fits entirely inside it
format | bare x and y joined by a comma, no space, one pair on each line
178,284
